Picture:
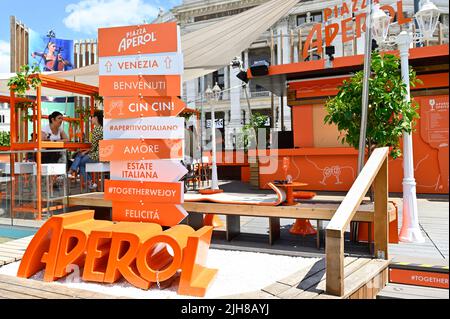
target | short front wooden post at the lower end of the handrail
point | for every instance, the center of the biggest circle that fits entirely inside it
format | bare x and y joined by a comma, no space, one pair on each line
334,263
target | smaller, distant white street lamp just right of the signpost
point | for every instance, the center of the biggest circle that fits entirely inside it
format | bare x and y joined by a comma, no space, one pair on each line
213,95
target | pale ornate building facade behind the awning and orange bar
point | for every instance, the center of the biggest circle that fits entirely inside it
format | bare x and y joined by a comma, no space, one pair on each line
279,45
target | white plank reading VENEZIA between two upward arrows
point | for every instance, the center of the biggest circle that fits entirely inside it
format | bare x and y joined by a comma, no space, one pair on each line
170,63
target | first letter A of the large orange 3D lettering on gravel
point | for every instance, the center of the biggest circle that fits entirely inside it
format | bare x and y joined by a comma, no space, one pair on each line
43,249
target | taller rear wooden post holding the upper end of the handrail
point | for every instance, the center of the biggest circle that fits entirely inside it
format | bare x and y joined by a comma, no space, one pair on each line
381,218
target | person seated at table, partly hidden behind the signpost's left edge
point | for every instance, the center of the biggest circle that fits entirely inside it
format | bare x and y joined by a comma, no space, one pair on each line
91,155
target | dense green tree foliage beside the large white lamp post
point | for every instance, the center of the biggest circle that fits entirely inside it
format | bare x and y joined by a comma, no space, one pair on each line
389,114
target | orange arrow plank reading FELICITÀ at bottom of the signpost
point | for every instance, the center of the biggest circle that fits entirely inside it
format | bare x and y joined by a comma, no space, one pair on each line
162,214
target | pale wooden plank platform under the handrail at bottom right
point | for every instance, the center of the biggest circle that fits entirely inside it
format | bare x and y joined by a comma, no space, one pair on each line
364,278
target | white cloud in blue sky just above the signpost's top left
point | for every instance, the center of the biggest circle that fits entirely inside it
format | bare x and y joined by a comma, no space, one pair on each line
89,15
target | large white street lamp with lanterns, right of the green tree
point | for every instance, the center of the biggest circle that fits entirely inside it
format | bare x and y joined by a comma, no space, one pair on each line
427,18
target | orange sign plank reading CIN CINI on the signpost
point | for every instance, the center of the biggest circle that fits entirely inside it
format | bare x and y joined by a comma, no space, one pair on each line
130,107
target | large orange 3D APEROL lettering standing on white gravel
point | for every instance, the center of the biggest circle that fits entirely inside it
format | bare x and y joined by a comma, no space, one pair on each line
141,253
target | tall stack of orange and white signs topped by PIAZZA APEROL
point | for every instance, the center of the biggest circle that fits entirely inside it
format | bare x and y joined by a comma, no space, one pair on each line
134,98
